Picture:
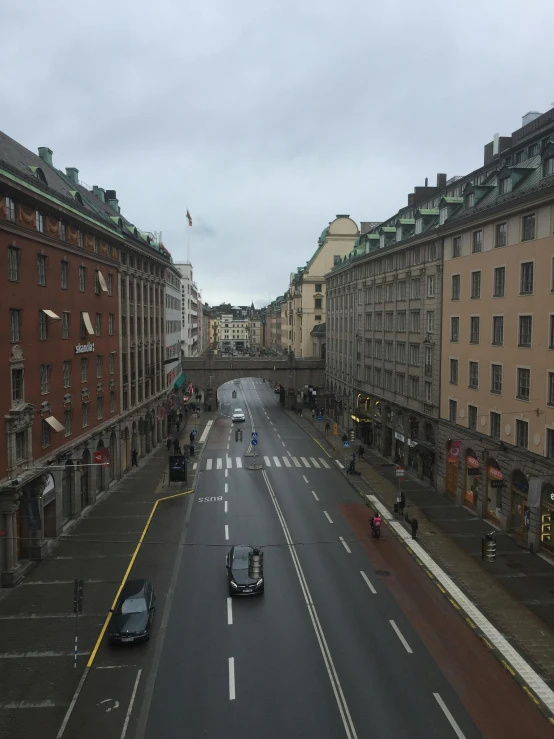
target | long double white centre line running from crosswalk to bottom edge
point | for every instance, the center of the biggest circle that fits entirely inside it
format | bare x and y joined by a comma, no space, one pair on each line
323,646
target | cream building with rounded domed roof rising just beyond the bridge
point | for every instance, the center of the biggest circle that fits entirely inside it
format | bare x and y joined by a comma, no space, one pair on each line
305,299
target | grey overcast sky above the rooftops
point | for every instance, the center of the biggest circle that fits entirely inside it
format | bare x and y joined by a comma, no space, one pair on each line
268,118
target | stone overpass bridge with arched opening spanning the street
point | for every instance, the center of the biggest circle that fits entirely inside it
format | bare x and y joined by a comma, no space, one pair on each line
291,373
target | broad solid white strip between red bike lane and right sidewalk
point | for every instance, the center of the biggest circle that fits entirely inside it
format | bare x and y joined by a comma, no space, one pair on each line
533,680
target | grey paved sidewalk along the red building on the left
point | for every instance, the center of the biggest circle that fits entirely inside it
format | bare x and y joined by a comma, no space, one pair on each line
37,676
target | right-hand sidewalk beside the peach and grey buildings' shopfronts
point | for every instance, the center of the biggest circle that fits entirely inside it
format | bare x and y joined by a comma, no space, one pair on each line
516,592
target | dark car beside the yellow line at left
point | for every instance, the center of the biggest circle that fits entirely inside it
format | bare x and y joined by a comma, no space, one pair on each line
132,617
